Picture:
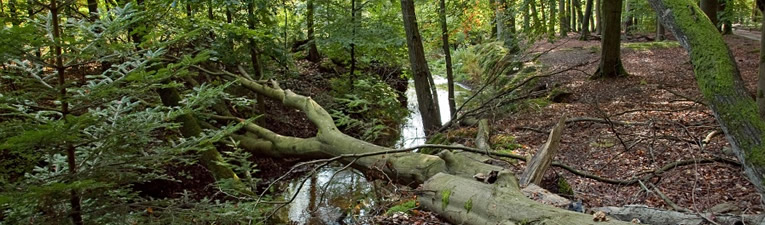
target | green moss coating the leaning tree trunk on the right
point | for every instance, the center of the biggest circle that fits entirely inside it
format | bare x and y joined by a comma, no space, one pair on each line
714,71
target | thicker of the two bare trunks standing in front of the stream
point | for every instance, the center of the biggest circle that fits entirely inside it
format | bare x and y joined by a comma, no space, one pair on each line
431,118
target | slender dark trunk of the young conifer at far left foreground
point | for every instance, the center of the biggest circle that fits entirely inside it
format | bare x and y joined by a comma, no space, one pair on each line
71,157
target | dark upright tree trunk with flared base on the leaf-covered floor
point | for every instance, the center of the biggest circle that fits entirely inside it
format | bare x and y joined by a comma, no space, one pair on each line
610,58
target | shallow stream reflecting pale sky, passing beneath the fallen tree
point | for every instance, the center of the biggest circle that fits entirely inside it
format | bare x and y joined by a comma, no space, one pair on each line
349,197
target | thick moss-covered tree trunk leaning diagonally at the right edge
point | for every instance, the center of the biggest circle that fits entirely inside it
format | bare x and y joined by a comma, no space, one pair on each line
719,80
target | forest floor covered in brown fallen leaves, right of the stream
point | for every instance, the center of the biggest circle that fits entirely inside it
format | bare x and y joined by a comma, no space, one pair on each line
662,100
